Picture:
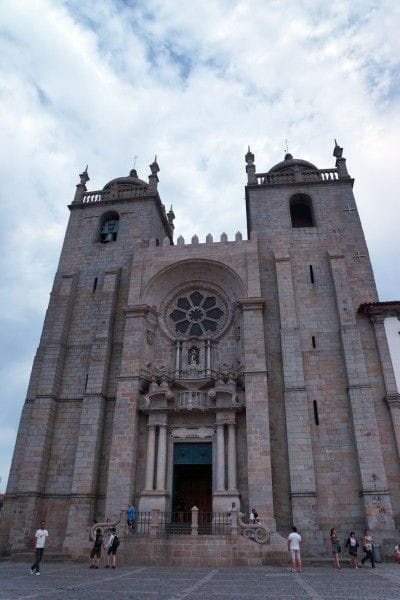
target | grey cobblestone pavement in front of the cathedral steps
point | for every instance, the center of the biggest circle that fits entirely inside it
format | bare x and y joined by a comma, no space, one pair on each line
60,581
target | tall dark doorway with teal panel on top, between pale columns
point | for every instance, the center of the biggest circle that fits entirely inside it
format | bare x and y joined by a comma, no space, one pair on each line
192,483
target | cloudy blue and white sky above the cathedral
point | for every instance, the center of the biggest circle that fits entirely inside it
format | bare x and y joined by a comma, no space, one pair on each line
99,82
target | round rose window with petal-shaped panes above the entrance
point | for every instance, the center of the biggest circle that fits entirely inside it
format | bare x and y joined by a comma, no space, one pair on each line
197,314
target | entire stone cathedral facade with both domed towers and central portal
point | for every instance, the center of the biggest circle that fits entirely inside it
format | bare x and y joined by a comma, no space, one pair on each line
250,371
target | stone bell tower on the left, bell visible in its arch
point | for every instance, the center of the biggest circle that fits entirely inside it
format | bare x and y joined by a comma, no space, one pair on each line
58,461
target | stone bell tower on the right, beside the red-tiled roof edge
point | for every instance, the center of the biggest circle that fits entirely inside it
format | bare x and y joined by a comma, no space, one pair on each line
315,273
